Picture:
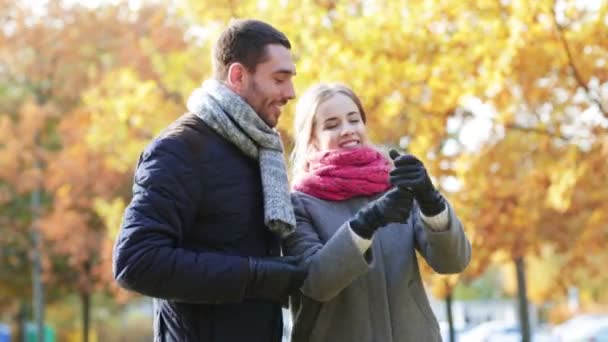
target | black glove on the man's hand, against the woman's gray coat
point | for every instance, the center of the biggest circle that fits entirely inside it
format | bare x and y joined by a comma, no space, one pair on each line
275,278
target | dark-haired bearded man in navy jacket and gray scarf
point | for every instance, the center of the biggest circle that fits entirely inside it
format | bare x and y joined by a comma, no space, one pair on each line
211,202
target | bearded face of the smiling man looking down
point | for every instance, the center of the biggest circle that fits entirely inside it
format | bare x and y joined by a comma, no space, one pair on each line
269,88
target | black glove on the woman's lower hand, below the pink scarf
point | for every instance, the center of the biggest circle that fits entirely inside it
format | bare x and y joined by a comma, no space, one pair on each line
392,207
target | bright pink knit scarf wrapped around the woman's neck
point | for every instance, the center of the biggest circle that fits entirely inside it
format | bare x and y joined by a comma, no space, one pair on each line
341,174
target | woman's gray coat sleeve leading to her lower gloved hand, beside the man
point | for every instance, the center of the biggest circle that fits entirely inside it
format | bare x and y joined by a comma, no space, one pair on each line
333,265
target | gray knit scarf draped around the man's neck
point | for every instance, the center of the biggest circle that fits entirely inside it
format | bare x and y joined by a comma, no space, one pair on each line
232,118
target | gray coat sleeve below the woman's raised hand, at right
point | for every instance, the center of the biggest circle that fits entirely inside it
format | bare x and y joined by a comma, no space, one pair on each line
447,251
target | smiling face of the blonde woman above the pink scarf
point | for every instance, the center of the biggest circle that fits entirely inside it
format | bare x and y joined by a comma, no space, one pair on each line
338,125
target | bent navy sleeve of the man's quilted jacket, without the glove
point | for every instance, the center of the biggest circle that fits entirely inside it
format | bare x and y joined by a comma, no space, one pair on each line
147,257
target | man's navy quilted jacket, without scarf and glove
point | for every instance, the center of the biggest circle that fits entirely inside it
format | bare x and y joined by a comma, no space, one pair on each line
195,216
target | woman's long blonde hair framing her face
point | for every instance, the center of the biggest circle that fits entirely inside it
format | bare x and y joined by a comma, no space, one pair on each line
304,120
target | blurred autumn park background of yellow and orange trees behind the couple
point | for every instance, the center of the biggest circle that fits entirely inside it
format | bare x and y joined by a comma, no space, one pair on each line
506,102
